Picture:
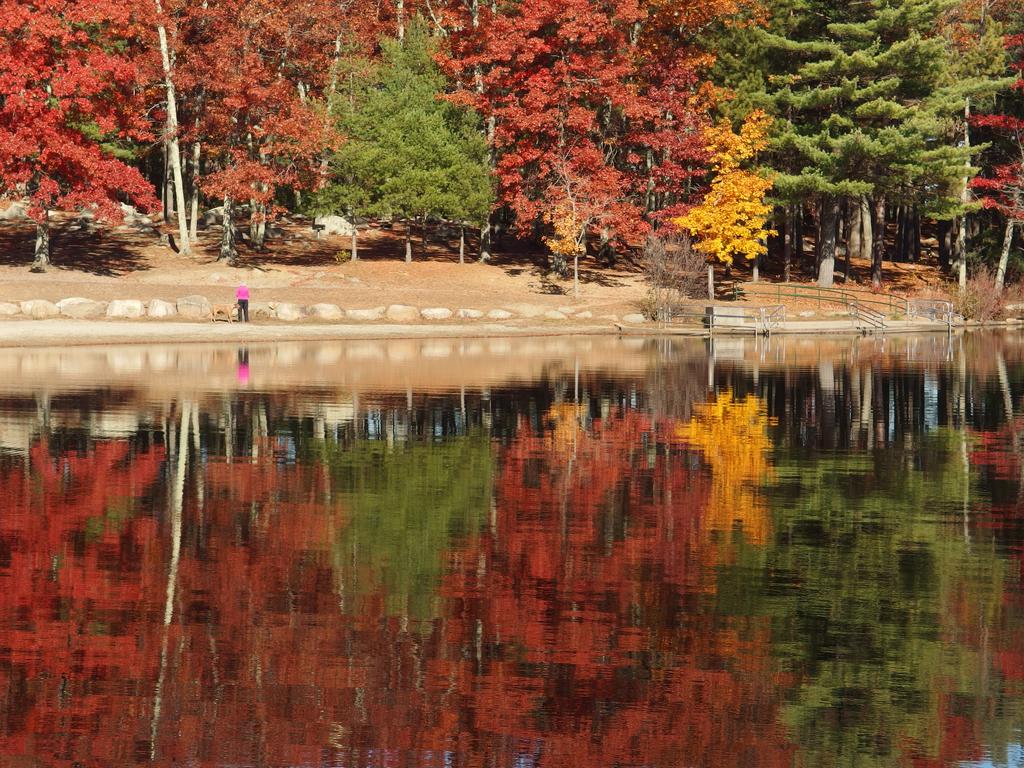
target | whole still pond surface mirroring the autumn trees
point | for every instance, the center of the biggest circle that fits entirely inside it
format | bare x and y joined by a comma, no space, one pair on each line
515,554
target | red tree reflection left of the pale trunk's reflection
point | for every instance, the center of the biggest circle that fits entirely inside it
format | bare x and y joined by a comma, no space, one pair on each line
79,567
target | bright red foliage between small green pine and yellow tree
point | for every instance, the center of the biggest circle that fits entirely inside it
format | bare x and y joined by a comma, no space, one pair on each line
606,98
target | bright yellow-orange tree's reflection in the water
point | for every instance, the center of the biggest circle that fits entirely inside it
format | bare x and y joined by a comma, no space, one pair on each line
733,435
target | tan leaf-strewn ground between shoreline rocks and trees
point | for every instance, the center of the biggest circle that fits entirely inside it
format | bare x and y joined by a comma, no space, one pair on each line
124,264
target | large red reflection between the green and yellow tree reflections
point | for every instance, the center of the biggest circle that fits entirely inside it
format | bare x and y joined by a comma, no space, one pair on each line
589,606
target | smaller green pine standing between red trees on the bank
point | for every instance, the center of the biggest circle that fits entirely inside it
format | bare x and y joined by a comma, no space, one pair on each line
410,153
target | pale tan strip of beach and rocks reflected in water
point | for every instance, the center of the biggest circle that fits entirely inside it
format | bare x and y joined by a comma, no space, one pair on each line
434,364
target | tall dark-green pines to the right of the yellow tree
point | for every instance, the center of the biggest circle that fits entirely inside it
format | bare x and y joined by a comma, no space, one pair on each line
867,108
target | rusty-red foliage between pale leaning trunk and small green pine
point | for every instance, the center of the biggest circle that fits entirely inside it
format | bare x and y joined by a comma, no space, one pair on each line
250,74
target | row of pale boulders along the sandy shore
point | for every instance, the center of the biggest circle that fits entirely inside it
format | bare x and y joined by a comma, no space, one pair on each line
200,309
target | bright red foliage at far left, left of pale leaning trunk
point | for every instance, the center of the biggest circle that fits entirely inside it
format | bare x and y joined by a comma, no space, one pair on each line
70,73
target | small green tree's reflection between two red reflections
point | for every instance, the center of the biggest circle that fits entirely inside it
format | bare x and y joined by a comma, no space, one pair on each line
407,503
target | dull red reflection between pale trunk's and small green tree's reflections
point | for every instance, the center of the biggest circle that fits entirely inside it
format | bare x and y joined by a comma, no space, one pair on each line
259,614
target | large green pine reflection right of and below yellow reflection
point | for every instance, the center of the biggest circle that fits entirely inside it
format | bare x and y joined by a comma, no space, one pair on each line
879,600
